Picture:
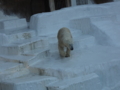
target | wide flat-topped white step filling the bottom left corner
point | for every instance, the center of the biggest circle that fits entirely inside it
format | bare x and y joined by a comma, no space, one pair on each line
27,83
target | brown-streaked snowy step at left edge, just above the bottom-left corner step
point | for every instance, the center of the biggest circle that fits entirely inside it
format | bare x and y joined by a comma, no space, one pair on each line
11,69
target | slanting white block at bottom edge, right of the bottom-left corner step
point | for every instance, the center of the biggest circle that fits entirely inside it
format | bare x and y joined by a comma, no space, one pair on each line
86,82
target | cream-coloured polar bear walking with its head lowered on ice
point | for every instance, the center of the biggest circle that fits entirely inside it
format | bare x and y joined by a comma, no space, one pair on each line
65,40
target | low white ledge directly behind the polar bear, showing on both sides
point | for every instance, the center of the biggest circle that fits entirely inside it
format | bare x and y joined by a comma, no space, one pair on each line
79,42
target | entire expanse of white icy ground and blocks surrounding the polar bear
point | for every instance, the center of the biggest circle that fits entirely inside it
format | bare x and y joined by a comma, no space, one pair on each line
29,58
